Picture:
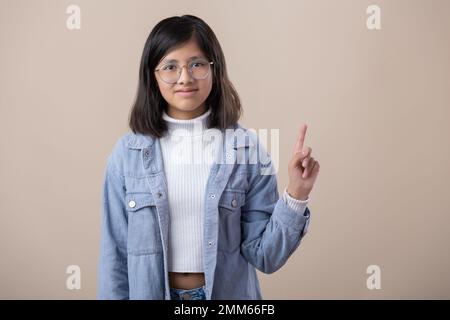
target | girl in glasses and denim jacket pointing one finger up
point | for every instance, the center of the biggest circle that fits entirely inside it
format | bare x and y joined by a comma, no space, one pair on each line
186,214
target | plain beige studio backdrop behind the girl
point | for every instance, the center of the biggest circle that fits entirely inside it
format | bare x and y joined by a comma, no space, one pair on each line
376,102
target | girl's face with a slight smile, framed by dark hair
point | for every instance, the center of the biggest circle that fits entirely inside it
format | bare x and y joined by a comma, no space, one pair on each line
184,105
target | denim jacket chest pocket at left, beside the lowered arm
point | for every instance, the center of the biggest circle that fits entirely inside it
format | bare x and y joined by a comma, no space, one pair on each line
144,236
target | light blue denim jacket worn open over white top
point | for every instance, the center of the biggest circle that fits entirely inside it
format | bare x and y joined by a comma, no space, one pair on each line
247,226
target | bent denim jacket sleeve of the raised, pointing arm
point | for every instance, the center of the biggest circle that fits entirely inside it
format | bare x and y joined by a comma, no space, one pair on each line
270,229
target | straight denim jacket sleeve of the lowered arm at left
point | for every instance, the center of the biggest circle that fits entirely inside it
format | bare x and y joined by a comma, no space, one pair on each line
112,270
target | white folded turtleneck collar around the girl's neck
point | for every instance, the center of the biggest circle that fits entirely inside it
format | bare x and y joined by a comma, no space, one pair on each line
191,127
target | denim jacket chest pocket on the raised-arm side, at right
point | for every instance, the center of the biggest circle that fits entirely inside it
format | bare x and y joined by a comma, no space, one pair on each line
230,220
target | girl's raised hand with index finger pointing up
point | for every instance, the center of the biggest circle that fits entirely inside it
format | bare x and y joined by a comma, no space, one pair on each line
302,169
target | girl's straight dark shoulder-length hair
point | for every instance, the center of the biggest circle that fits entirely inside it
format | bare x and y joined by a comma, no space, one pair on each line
223,100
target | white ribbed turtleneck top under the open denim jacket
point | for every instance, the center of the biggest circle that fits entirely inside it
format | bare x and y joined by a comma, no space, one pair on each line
187,163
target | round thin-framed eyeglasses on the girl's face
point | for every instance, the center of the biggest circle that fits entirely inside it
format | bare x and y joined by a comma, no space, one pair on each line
198,69
